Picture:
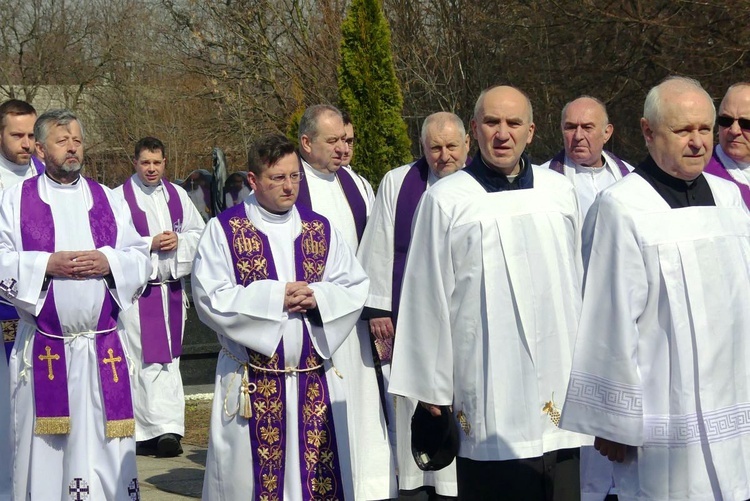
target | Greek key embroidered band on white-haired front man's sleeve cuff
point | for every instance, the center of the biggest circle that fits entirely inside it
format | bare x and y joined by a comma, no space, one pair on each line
594,391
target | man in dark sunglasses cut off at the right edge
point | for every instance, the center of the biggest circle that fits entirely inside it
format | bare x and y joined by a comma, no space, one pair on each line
731,158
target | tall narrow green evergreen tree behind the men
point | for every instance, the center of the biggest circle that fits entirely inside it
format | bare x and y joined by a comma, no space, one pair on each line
370,92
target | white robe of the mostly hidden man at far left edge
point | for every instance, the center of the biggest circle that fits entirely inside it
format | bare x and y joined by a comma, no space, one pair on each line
10,174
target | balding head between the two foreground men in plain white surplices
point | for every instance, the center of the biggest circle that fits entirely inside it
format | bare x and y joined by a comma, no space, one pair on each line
586,129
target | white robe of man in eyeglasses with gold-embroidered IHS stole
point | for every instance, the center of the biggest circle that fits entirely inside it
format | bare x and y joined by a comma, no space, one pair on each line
254,317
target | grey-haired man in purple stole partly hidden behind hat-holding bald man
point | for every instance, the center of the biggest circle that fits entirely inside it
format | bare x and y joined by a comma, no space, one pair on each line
383,255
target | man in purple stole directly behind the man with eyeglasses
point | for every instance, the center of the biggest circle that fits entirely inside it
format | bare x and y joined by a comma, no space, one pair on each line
345,198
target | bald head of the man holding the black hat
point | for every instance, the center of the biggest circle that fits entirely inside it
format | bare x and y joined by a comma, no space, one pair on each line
503,126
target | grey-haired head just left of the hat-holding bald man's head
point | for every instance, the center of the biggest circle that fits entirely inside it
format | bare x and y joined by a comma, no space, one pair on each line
445,143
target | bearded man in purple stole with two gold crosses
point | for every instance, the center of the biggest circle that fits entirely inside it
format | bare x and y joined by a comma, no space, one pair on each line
70,260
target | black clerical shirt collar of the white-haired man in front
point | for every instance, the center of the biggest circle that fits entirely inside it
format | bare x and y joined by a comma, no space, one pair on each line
676,192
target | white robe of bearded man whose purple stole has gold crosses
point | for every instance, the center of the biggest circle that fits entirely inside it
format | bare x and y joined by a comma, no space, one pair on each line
45,466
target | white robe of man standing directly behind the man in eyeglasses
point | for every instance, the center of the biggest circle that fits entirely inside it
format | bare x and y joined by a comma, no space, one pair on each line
373,462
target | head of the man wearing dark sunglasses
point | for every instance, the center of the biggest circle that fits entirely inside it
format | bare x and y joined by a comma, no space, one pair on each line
734,112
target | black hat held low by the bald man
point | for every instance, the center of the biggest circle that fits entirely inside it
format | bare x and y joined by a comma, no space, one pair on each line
434,439
